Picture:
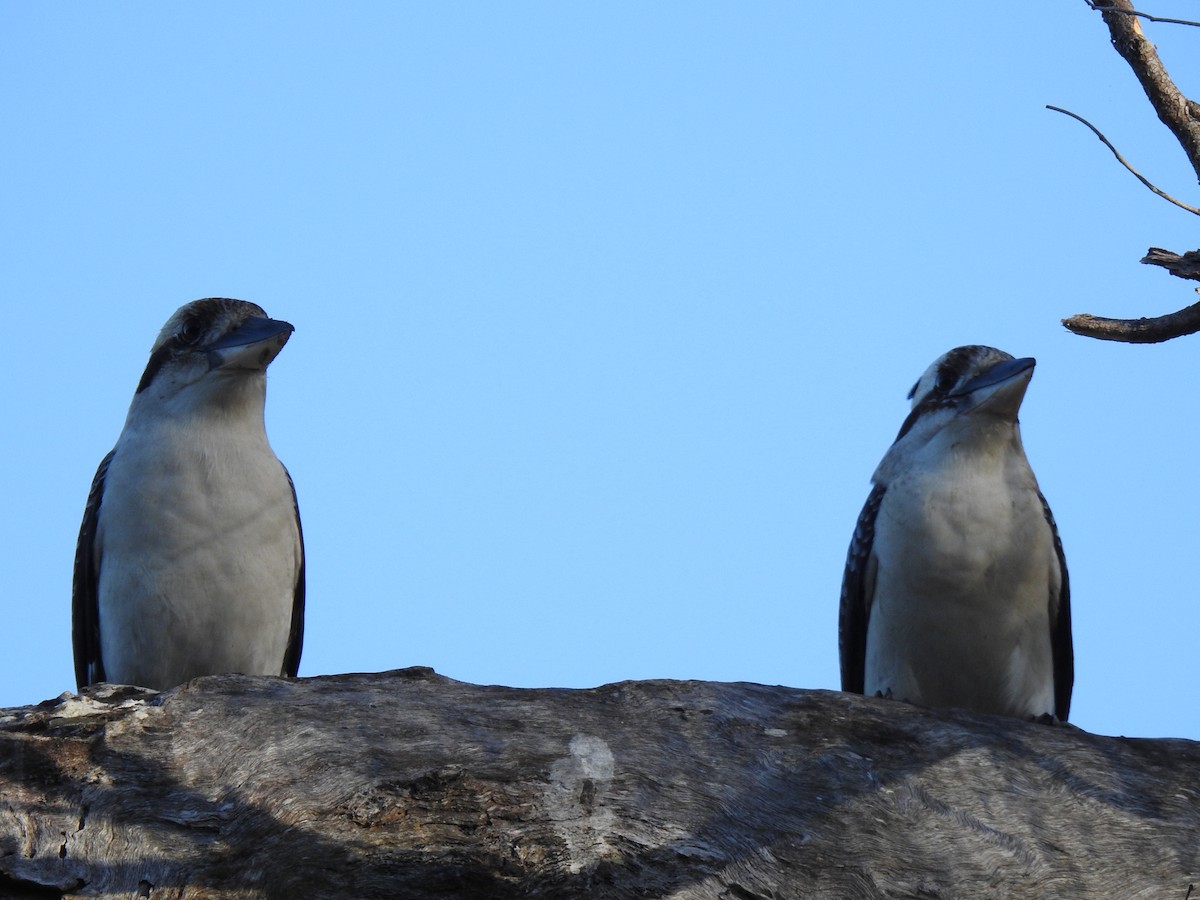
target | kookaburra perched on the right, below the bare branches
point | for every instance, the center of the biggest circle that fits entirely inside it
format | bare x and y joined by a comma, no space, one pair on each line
956,589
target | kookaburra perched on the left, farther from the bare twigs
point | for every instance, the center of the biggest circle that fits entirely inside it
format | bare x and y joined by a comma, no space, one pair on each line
190,559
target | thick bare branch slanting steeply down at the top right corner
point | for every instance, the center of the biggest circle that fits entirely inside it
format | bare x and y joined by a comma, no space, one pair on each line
1175,111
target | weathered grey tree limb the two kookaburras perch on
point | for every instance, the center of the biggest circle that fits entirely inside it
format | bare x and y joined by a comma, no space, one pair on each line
411,785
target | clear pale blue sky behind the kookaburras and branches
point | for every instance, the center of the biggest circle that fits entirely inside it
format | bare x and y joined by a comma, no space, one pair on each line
605,314
